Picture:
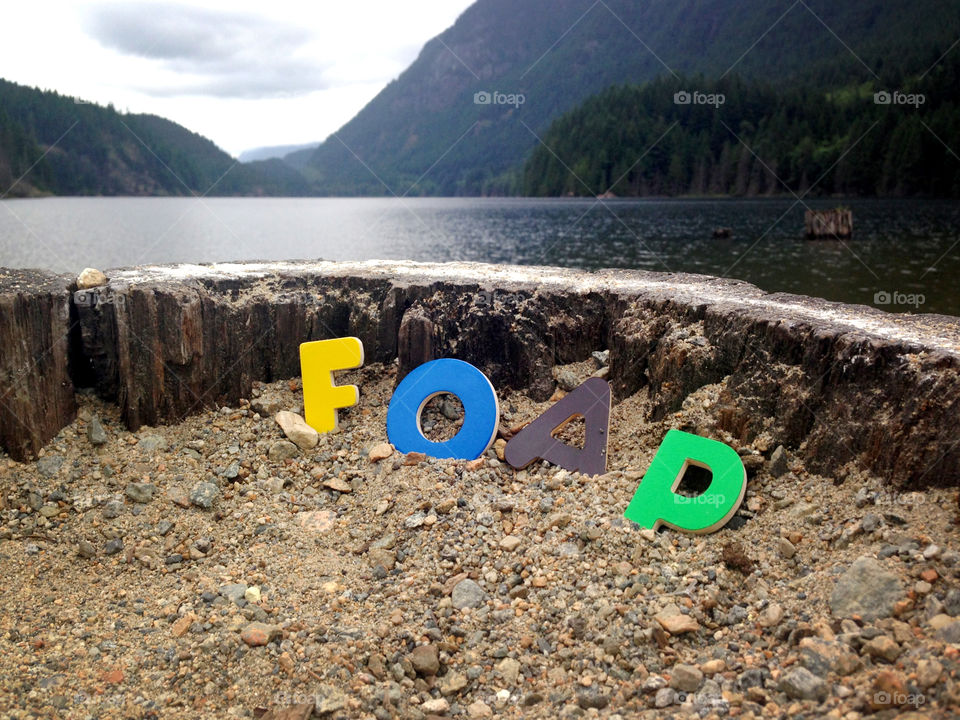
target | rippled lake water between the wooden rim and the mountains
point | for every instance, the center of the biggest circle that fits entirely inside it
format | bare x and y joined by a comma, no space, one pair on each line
904,256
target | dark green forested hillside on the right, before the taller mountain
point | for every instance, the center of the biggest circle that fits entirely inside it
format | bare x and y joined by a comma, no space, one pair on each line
763,139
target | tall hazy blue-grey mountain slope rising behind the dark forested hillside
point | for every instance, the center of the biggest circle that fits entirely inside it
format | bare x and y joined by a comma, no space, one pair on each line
428,132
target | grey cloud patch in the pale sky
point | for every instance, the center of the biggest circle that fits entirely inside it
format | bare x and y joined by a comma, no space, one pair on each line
211,52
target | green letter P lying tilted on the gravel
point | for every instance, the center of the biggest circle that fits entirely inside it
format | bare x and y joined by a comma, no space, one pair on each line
655,501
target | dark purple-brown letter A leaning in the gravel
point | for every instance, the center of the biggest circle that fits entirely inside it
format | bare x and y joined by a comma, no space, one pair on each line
591,400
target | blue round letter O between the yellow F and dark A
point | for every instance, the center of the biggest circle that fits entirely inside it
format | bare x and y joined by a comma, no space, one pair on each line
481,411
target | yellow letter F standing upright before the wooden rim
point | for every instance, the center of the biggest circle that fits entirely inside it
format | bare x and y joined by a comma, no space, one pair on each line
321,398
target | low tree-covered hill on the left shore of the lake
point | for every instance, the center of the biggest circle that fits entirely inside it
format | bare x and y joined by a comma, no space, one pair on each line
60,145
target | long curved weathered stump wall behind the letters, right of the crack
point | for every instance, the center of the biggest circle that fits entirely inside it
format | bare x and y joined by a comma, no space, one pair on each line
836,384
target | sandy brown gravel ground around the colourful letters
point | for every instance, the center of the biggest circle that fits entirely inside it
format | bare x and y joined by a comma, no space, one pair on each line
214,569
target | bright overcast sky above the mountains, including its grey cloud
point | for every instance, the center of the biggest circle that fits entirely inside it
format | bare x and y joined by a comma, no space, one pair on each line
244,74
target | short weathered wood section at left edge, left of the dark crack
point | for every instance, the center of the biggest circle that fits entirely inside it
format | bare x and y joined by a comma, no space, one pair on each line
36,393
